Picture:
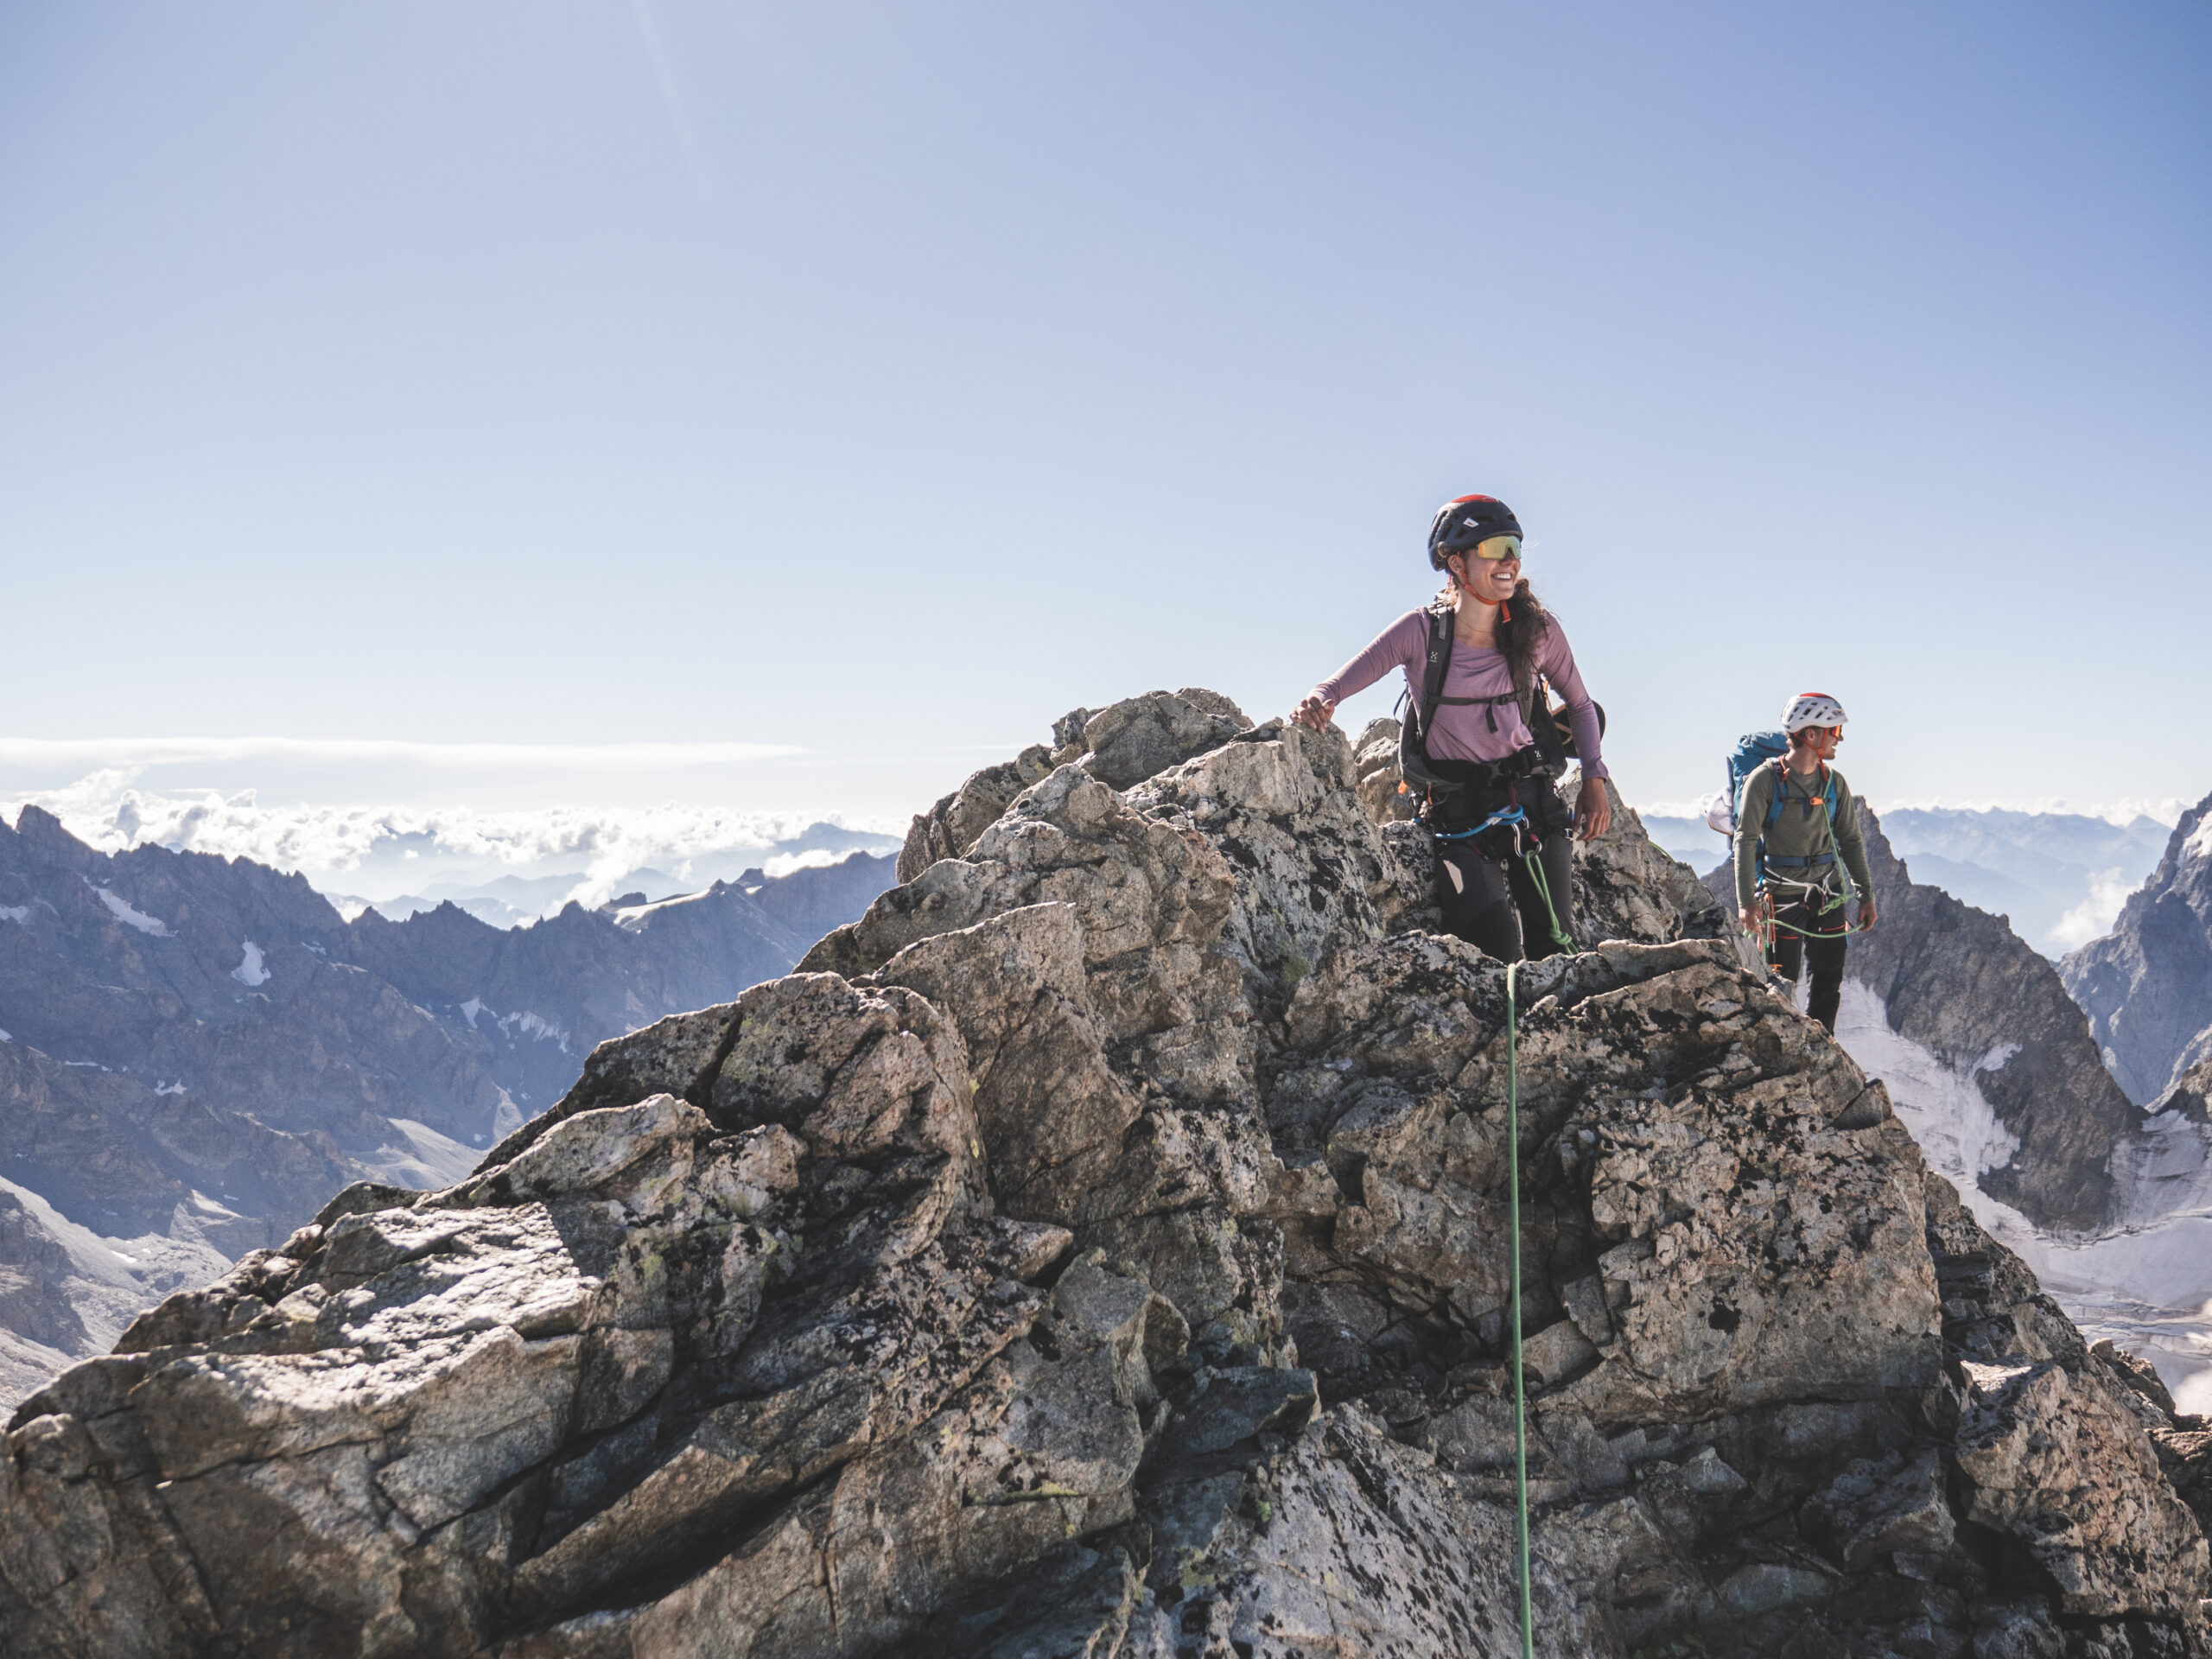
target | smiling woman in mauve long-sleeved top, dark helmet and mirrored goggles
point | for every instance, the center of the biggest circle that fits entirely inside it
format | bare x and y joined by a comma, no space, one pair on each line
1481,742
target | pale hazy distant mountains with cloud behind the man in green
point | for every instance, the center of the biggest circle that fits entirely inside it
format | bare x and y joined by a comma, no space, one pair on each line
2056,877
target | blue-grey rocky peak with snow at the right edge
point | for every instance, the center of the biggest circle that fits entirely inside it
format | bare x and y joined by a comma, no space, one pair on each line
2149,983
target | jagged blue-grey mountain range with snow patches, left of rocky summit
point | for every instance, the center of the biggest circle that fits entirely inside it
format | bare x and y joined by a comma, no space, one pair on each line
198,1052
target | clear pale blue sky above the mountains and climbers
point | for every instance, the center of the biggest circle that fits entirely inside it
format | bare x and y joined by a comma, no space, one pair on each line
884,382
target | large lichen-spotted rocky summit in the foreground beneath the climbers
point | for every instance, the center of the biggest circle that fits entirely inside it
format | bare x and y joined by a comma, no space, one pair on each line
1100,1249
